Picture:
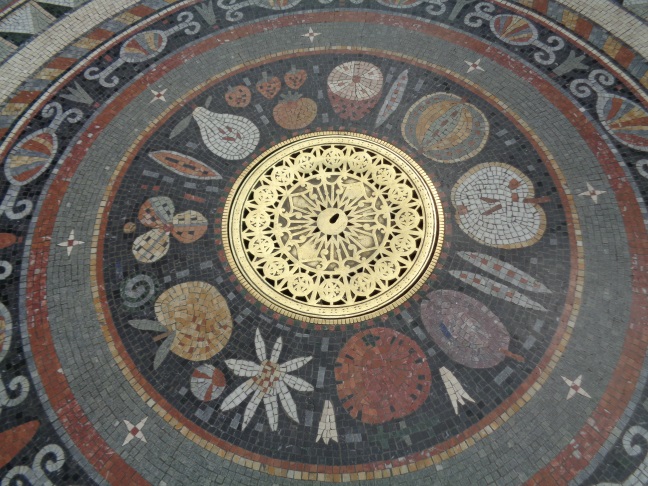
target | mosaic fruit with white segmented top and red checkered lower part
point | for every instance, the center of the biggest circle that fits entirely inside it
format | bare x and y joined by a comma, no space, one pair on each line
354,88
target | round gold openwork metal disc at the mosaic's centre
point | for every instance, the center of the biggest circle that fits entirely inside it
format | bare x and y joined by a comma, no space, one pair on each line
333,227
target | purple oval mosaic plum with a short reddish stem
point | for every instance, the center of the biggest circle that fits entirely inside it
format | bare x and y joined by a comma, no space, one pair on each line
467,331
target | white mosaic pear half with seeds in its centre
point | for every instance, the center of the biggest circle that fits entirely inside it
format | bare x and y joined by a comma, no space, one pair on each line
228,136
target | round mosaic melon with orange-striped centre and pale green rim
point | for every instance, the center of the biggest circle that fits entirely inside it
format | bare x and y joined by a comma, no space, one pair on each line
445,128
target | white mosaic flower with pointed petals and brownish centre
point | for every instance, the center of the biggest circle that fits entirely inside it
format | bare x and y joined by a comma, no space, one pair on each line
267,380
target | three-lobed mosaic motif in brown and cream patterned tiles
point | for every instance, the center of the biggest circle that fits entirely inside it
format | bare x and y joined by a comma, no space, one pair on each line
157,213
